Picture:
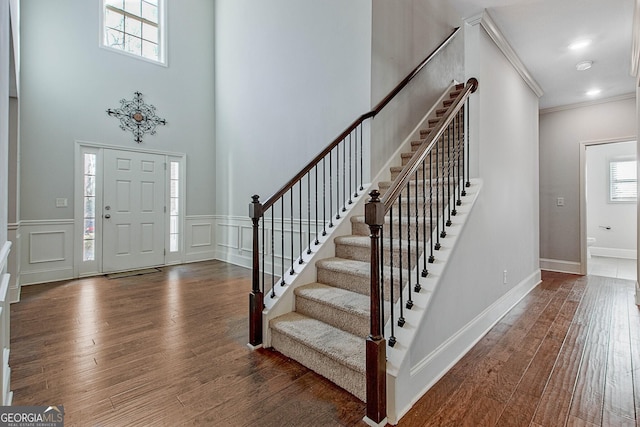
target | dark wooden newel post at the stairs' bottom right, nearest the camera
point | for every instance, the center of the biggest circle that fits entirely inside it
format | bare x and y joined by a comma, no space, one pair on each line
376,345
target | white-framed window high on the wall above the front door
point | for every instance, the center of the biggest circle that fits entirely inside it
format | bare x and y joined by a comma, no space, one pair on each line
134,27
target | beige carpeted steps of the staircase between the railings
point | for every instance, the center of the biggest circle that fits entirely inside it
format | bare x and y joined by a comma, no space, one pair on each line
327,330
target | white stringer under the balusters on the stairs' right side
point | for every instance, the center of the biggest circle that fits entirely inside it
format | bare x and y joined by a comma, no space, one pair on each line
399,364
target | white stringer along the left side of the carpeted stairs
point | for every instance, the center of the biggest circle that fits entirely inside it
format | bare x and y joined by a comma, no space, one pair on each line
284,300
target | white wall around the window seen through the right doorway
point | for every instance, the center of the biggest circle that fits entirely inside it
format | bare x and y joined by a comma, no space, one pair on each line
620,239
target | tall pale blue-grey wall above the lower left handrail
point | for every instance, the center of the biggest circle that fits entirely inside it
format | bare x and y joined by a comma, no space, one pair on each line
290,76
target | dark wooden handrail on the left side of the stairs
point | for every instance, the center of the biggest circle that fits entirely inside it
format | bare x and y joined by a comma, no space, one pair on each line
278,194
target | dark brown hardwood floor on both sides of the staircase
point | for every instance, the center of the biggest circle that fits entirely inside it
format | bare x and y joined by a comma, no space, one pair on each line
169,348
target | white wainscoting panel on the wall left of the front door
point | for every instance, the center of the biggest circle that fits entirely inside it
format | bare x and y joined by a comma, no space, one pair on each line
46,251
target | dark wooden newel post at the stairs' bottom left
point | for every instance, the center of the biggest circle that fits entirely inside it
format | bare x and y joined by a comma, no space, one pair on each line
256,298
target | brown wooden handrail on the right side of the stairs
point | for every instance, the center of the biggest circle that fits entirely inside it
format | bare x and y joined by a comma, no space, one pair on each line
423,150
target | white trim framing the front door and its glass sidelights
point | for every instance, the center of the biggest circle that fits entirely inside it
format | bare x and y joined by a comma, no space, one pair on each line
82,268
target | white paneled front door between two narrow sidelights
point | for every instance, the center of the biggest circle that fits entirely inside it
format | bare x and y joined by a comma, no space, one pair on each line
133,210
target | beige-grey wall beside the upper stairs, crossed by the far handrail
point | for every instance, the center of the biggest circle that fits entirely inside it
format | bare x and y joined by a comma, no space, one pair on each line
404,33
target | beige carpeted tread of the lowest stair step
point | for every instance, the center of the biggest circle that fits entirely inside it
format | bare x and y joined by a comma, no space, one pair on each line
341,346
